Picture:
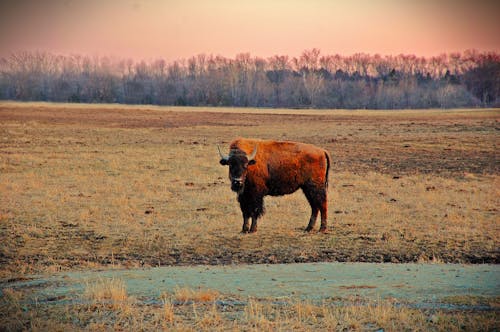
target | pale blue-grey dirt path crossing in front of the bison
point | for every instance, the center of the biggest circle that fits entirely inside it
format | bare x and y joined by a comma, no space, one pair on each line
422,285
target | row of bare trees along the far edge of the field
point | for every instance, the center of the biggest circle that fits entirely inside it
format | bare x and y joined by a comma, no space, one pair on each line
312,80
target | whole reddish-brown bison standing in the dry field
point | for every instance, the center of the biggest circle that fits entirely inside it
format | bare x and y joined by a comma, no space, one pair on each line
258,168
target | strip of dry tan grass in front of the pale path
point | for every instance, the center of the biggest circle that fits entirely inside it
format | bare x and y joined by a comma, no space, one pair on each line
252,315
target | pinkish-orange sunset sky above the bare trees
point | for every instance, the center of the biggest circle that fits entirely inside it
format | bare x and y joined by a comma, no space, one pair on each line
174,29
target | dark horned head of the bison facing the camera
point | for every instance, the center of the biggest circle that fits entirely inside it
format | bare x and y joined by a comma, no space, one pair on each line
238,162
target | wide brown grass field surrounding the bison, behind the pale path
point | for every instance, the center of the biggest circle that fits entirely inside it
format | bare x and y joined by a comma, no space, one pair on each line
86,186
